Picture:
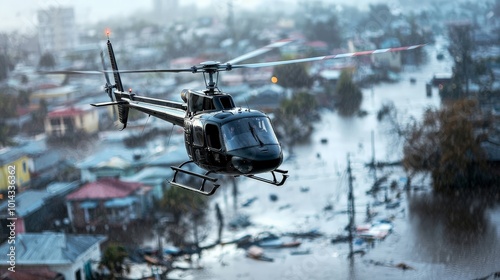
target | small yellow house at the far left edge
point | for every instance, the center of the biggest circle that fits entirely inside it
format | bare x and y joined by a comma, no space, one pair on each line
13,162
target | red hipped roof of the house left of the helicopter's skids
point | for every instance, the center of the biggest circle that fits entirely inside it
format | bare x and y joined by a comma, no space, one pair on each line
104,189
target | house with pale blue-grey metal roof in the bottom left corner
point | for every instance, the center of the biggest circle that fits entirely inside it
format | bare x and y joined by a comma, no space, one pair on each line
50,255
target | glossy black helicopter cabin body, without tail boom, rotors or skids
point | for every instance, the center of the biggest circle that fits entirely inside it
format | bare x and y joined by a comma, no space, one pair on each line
227,140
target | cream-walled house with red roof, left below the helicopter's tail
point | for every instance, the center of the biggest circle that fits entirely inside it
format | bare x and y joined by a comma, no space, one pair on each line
66,121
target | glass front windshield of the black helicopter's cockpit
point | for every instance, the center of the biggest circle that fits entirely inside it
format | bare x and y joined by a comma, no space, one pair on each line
248,132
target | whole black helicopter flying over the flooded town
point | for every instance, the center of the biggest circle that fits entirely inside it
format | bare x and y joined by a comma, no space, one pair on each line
219,137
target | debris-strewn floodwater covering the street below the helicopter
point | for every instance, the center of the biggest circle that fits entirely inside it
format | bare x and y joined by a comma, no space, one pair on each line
434,238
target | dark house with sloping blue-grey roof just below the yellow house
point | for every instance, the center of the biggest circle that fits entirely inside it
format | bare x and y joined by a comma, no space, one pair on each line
37,210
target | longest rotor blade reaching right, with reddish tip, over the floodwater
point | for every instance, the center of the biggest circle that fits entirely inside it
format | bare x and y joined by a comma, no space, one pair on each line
327,57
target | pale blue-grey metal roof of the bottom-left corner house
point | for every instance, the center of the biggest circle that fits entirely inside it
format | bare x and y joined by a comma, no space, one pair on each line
50,248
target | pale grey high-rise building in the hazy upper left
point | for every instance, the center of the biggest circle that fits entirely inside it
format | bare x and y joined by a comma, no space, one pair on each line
57,29
